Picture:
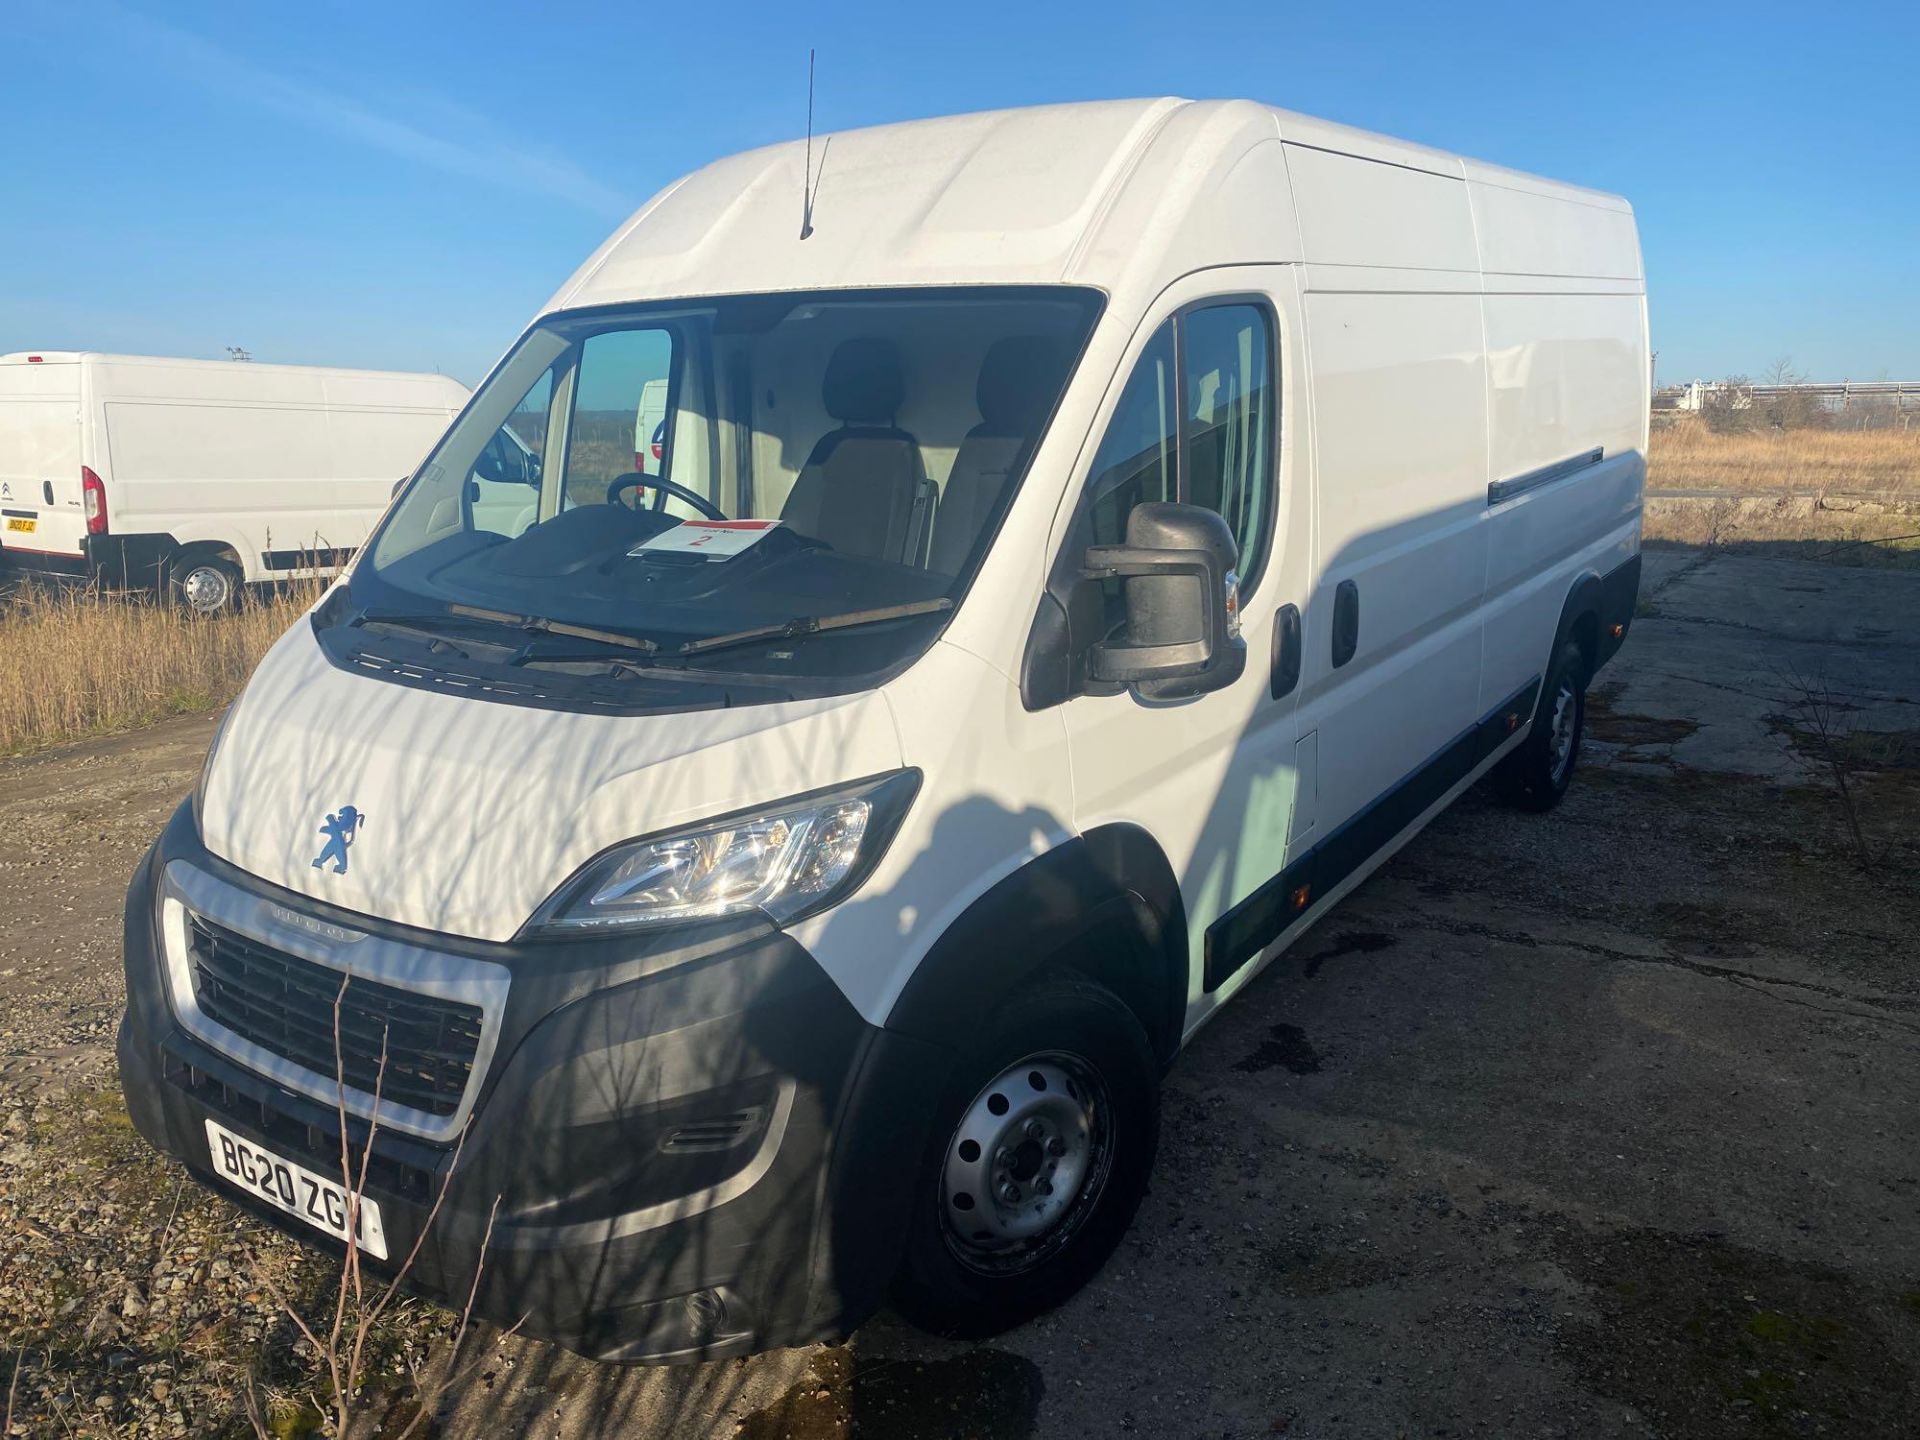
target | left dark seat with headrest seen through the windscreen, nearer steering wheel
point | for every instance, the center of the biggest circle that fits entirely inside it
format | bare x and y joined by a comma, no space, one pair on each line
865,489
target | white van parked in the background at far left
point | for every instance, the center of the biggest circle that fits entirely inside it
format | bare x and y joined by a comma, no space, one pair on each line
199,477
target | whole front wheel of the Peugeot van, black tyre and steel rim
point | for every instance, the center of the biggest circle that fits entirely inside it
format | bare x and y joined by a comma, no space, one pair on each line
1042,1157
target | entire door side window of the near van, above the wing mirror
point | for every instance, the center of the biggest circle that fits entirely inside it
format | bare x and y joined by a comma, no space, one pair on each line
1212,446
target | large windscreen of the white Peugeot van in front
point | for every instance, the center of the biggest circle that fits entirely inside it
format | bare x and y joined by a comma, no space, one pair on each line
828,468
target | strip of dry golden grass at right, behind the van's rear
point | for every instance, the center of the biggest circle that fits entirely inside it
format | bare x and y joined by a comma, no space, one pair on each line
1691,456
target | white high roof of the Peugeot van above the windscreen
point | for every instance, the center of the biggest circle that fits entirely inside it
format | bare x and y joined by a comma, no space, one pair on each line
1105,193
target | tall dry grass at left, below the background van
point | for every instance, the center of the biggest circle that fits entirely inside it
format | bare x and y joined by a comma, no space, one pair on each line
78,663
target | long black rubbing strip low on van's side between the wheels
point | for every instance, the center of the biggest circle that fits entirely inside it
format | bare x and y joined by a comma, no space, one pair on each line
1262,917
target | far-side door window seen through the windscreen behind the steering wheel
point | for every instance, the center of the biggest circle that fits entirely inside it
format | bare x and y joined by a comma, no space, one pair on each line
619,412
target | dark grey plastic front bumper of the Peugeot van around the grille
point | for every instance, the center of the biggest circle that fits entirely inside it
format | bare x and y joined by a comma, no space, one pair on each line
696,1145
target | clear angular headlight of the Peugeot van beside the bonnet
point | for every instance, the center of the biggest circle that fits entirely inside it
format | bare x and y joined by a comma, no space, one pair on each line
784,861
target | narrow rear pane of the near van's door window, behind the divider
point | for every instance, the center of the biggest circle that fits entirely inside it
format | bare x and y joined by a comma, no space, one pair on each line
1228,423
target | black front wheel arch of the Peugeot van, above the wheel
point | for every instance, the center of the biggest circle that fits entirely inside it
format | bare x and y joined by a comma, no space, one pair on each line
1105,905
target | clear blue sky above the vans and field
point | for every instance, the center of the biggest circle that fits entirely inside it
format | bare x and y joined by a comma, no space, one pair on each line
402,185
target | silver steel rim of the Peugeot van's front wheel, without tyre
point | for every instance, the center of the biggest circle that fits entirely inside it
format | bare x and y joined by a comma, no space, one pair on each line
1020,1184
